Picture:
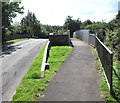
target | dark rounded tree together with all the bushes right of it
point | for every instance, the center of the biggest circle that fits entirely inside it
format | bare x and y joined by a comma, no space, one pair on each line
108,33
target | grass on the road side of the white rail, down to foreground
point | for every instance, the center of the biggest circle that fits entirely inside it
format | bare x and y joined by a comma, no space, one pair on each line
30,86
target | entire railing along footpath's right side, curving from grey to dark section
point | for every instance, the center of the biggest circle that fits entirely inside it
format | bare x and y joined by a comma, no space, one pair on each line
105,55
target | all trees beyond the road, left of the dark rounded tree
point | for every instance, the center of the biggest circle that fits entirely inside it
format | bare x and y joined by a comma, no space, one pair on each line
28,24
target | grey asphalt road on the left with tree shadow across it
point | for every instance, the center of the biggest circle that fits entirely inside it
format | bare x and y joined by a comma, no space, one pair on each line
16,60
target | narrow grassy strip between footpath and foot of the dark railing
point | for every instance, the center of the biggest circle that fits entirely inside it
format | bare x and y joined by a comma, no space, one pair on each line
102,81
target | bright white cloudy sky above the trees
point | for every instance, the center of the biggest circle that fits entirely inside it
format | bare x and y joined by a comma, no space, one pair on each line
54,12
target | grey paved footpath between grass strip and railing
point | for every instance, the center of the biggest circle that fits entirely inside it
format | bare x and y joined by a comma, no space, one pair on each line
76,79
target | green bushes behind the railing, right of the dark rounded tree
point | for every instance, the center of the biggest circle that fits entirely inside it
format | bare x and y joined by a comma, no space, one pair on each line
108,33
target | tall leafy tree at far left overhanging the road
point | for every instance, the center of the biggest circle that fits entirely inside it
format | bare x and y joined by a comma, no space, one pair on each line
9,11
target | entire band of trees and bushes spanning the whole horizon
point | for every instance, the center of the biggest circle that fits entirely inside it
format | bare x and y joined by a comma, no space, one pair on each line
109,33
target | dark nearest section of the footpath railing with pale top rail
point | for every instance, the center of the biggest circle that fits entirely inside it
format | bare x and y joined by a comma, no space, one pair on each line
106,58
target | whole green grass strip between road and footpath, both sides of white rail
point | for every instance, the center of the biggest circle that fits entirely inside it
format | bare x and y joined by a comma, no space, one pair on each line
32,86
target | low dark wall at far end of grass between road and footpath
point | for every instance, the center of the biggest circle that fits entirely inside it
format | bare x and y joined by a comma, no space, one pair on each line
59,40
